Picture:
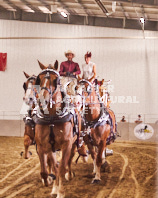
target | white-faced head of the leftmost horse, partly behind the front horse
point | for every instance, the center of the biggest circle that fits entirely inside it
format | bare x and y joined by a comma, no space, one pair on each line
30,92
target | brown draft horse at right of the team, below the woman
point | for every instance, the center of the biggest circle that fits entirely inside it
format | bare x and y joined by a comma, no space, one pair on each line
96,136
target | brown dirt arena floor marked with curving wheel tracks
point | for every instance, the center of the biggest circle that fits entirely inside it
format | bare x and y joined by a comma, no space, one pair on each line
132,172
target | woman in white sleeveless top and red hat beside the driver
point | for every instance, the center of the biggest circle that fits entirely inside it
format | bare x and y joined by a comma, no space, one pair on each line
89,68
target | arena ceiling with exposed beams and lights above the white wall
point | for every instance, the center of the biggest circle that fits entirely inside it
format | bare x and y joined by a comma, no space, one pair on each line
107,13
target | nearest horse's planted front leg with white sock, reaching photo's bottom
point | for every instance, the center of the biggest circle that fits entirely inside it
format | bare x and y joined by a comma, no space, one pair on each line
66,151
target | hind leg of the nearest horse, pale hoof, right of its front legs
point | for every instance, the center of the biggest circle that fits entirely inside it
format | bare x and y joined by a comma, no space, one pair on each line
69,175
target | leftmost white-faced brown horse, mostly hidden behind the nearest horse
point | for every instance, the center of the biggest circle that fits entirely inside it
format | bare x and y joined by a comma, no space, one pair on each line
29,98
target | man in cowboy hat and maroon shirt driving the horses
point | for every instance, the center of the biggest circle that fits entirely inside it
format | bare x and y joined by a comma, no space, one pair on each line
69,68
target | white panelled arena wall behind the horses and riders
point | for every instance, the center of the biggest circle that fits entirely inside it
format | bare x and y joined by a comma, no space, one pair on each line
120,55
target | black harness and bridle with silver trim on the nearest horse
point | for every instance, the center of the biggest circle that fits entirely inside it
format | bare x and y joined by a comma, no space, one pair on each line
66,115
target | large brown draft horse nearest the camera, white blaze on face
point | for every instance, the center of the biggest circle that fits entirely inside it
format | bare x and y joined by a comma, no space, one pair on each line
54,135
